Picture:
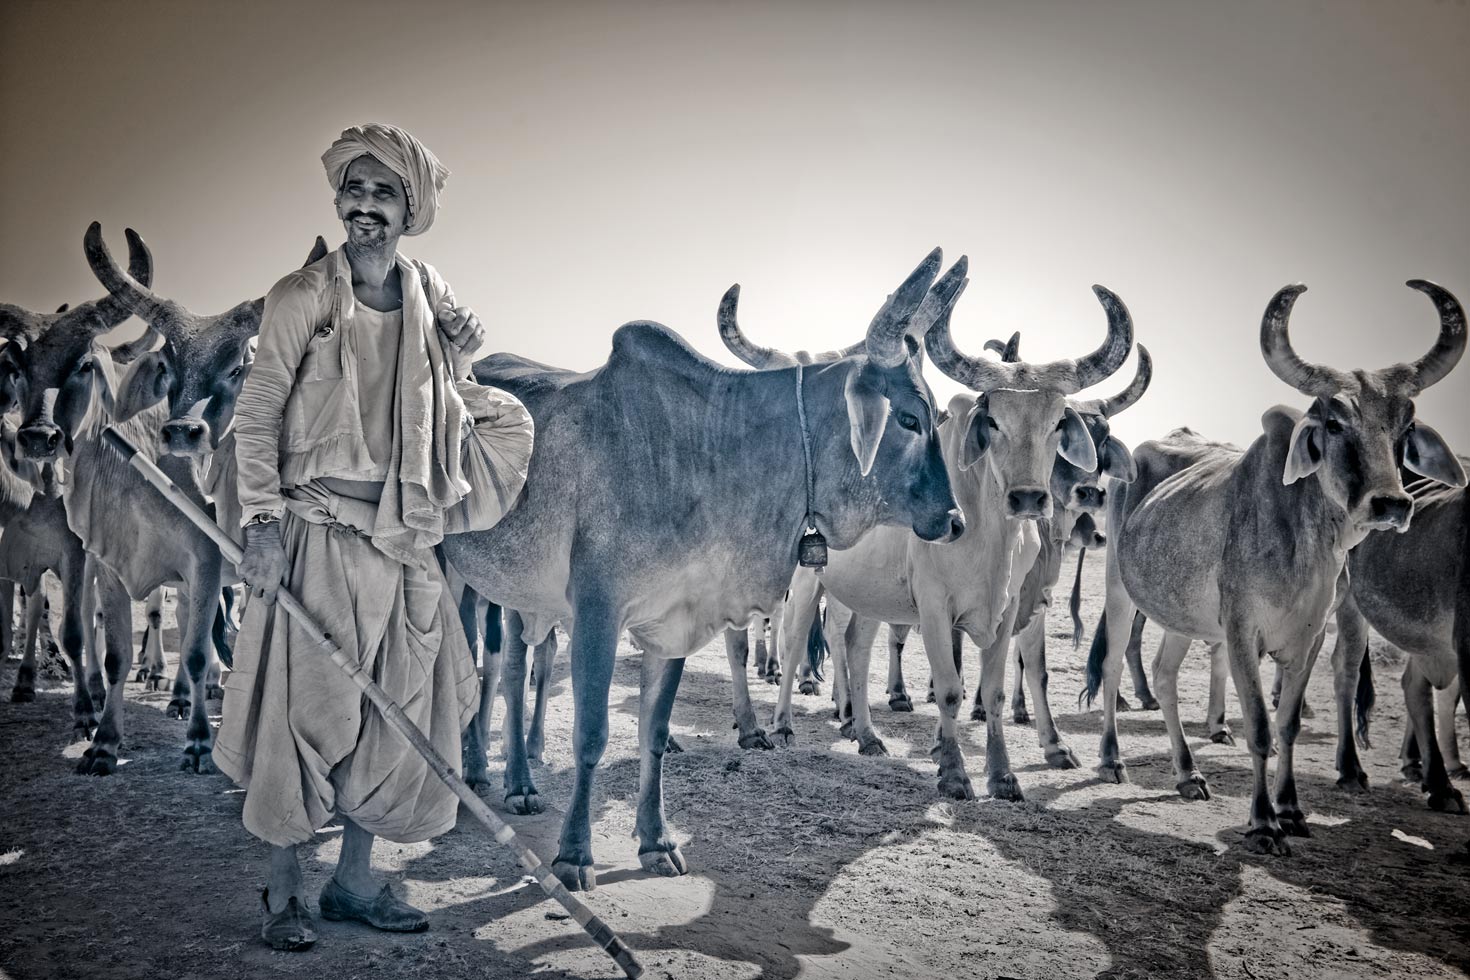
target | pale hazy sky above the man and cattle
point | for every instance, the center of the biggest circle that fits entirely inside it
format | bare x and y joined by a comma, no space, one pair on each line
631,161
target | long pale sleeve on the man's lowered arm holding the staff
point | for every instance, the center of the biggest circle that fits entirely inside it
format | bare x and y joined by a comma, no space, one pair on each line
286,327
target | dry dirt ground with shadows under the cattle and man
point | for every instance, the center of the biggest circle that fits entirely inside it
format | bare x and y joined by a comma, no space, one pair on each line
812,862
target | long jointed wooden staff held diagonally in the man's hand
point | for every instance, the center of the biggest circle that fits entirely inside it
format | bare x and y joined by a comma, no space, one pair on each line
503,832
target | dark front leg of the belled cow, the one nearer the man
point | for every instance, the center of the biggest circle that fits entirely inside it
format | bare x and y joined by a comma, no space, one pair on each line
595,647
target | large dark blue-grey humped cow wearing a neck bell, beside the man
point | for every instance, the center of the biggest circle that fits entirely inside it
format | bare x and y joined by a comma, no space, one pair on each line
642,514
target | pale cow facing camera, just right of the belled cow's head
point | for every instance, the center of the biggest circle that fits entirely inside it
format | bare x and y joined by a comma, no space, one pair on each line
1000,450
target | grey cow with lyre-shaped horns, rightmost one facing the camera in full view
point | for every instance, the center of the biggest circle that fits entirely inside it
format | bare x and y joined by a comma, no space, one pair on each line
1246,549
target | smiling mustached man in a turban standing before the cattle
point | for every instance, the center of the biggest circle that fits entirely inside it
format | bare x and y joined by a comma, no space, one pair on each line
349,447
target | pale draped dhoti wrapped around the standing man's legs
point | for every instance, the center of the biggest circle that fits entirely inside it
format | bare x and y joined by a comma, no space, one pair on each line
299,735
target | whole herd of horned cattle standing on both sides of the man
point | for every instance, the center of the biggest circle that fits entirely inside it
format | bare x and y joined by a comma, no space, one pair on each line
667,499
